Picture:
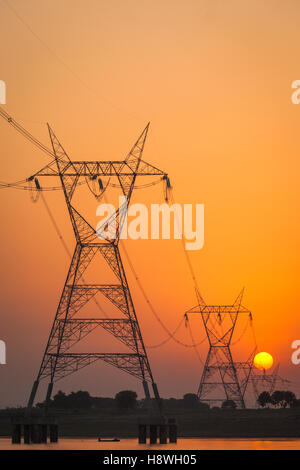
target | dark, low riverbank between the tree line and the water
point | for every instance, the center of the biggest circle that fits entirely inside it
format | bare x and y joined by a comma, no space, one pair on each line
264,423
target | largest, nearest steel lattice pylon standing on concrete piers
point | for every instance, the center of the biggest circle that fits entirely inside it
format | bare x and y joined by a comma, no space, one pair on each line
68,328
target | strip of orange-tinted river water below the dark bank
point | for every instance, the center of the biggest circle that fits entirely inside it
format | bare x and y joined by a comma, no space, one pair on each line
182,444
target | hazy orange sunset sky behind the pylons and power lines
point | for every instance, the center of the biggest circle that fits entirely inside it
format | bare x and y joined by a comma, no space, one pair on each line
214,78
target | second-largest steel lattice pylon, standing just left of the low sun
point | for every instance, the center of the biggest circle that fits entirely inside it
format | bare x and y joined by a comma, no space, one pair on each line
220,371
